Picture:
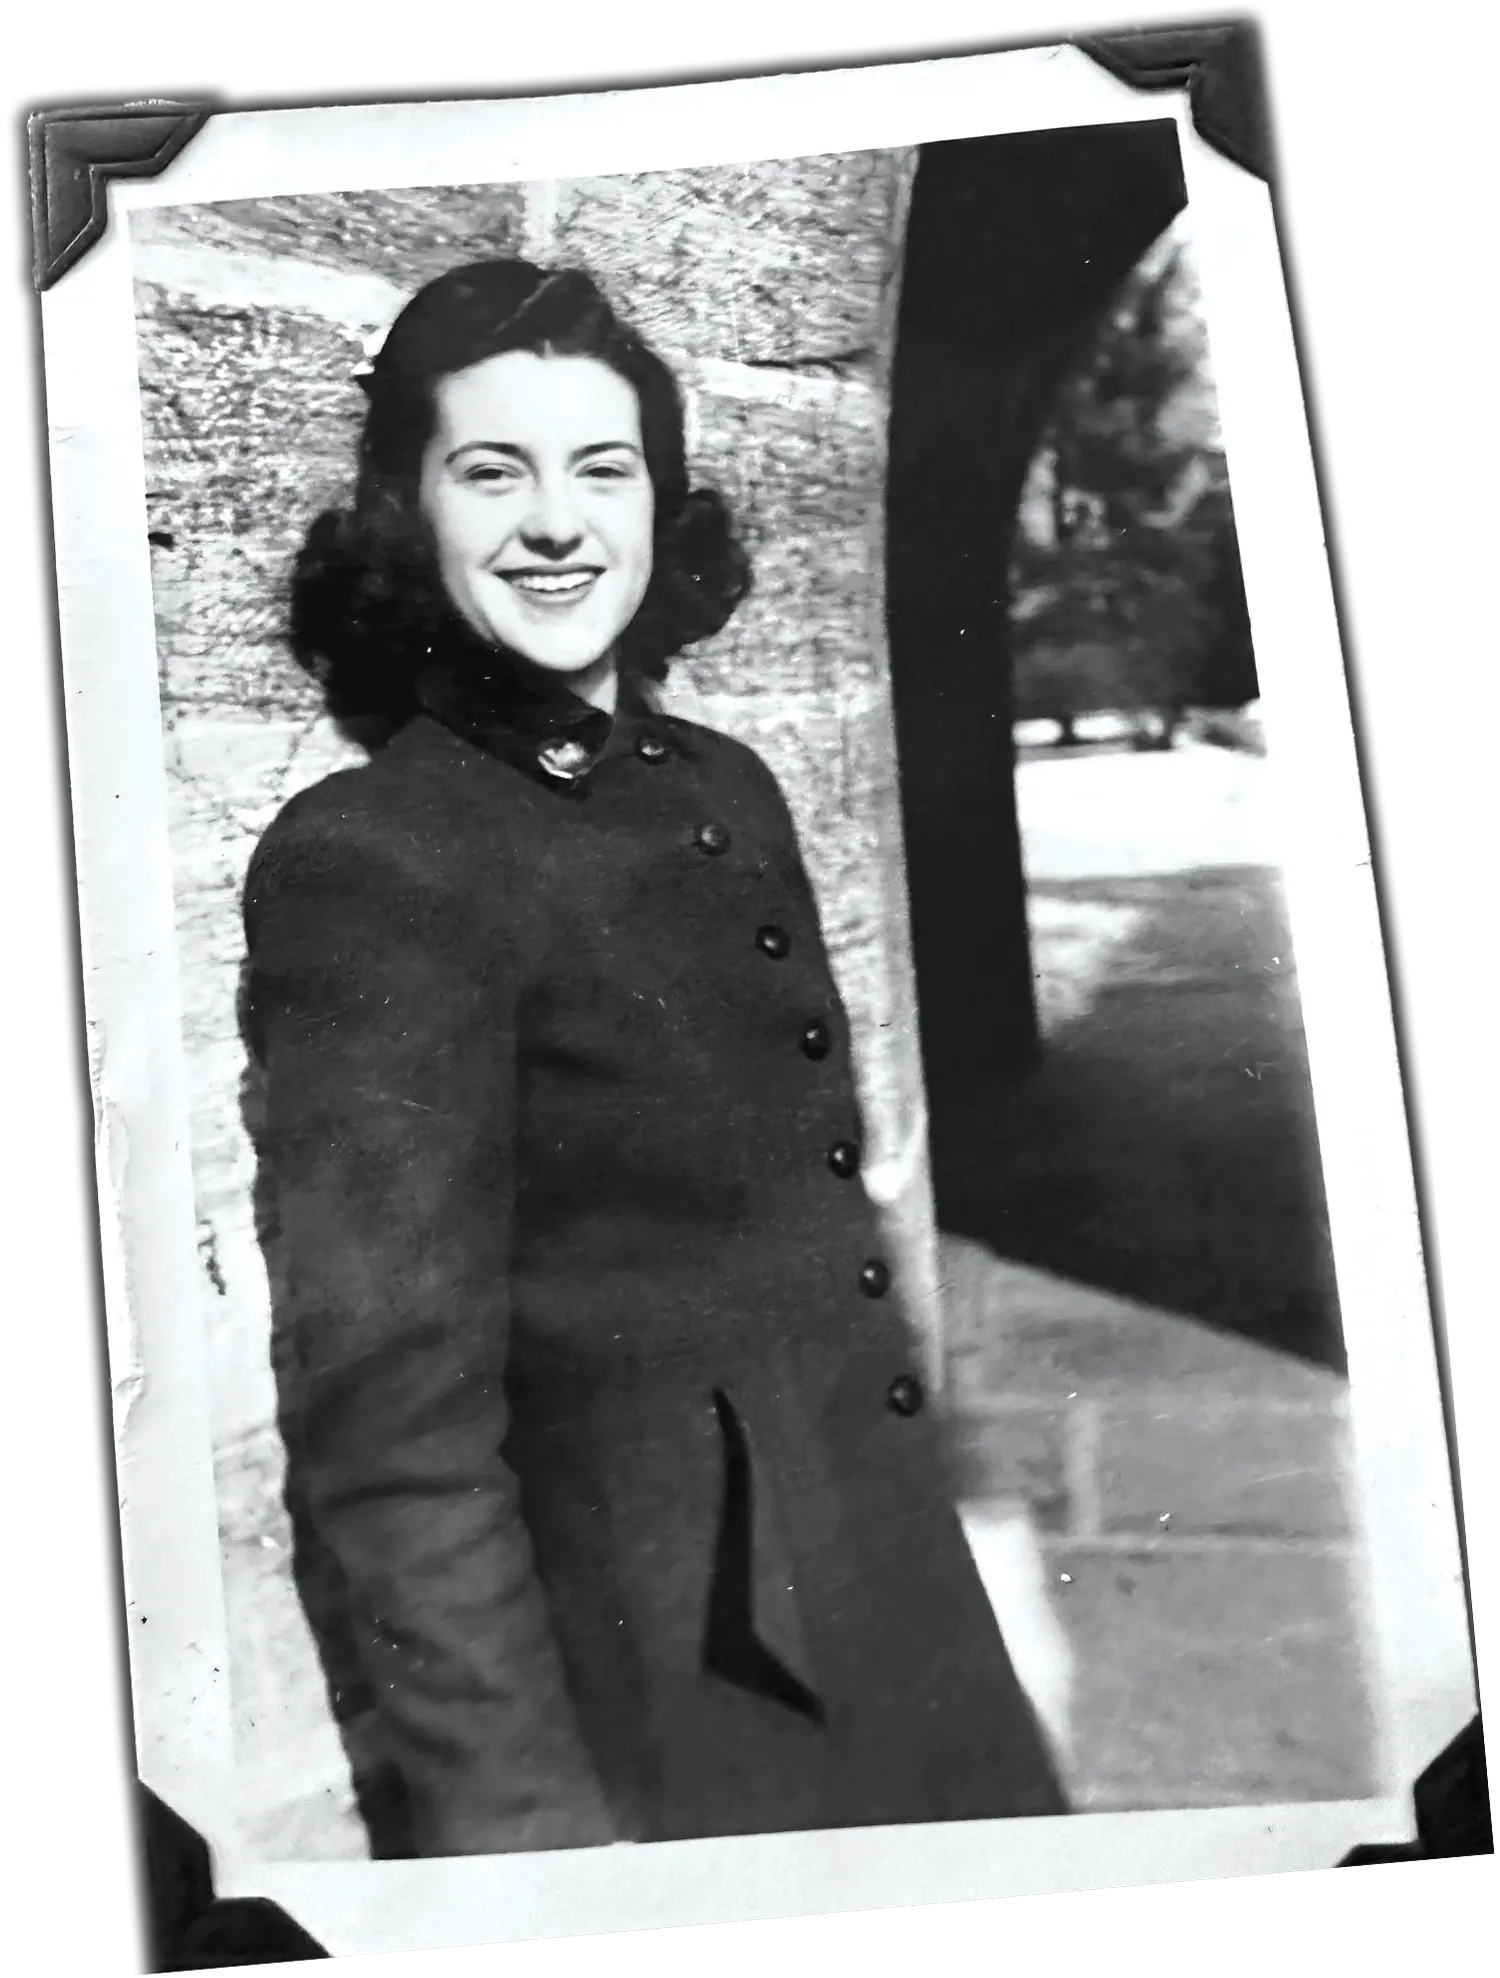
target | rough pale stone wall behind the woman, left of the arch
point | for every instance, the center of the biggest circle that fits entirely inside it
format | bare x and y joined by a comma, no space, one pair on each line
773,288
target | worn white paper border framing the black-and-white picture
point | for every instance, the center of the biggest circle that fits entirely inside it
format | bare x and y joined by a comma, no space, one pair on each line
175,1601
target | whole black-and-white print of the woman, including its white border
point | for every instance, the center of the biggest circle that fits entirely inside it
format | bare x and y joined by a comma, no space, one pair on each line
755,1186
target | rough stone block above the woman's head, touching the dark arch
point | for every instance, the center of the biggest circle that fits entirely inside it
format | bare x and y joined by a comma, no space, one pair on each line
783,260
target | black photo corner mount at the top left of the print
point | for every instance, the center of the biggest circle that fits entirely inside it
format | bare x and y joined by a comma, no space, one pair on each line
74,157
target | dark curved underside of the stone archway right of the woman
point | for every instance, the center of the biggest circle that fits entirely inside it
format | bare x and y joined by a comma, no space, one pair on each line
1014,248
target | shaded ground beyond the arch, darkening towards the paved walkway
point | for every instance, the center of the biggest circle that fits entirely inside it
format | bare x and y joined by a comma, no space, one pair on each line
1165,1144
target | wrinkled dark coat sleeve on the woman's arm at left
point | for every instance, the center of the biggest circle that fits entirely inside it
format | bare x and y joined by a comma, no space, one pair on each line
387,1041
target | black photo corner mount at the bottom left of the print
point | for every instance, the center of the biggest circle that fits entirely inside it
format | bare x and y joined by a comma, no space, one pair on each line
177,1922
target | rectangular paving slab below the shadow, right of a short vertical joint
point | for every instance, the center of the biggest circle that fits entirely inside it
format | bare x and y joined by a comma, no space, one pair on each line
1224,1467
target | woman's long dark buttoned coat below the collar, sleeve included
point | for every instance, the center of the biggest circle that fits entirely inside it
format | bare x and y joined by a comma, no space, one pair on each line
609,1411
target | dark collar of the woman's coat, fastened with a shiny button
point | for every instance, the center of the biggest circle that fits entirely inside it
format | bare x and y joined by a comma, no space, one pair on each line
523,717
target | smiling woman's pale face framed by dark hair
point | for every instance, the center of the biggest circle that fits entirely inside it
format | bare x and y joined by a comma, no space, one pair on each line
541,505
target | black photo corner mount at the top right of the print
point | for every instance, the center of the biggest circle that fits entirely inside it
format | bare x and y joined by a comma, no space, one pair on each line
1212,56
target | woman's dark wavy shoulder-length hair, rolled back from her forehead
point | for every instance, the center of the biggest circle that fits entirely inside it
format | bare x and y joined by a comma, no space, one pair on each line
367,596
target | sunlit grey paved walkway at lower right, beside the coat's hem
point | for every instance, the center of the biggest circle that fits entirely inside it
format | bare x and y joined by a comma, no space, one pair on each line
1163,1516
